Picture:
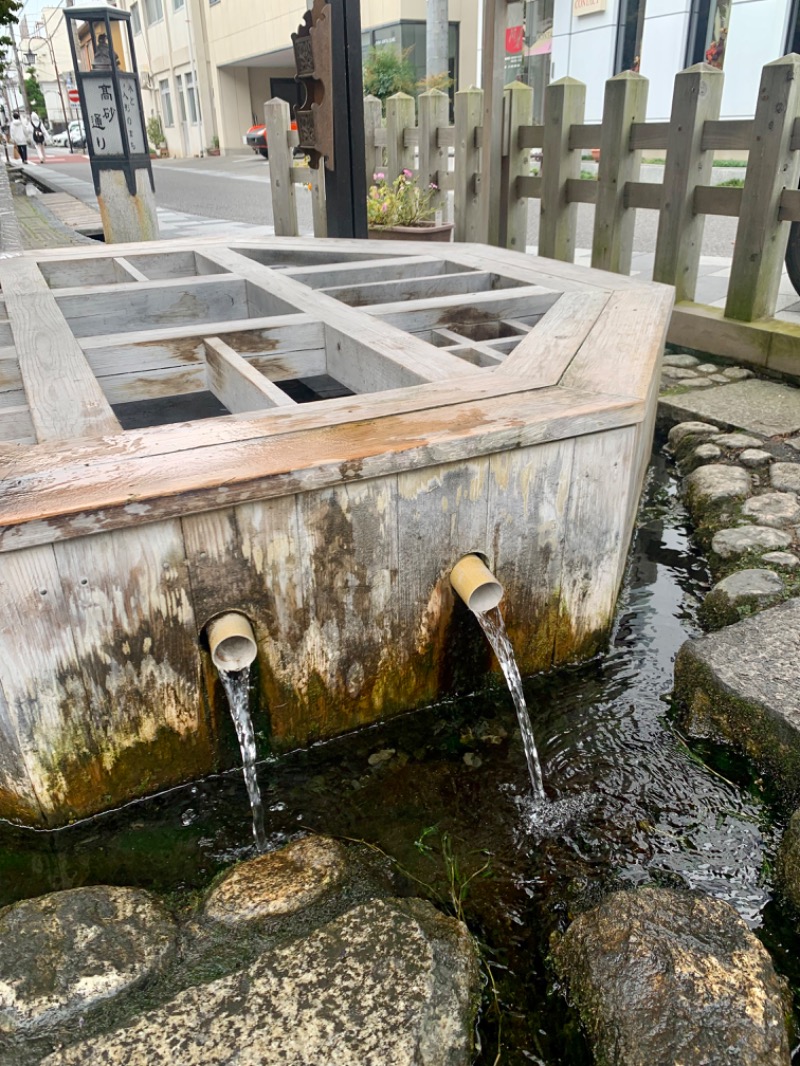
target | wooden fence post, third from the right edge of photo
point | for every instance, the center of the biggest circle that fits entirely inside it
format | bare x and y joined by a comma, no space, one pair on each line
626,103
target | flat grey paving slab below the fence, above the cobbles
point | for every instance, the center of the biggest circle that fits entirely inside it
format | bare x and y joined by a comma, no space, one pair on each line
757,407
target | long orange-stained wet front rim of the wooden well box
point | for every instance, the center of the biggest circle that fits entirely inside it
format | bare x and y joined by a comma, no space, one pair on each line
78,497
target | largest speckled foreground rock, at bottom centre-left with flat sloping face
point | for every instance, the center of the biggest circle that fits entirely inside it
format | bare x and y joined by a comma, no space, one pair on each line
389,982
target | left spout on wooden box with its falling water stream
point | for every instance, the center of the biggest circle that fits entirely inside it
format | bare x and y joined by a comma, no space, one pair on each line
233,648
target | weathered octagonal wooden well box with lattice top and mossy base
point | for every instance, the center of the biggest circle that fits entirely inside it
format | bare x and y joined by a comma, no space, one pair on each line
455,399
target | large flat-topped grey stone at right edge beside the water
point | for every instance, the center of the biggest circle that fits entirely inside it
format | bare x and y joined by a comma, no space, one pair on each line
742,686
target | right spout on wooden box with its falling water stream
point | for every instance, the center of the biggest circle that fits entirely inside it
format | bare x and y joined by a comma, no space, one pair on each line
475,584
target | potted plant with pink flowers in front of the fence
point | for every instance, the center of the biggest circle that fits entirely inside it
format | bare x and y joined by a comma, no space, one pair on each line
403,212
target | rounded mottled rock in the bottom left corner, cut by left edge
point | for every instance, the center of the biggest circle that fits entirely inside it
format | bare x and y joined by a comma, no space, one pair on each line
62,954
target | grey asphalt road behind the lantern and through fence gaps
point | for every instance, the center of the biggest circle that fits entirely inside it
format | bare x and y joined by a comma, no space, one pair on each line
236,188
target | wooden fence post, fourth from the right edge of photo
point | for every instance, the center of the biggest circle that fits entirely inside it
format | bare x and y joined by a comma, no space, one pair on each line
565,104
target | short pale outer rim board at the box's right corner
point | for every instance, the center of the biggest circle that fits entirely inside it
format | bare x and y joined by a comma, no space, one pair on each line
627,345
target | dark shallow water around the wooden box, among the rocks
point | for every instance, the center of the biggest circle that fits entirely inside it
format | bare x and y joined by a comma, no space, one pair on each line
447,788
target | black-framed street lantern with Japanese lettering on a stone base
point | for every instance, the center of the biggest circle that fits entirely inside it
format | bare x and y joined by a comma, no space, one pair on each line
102,45
